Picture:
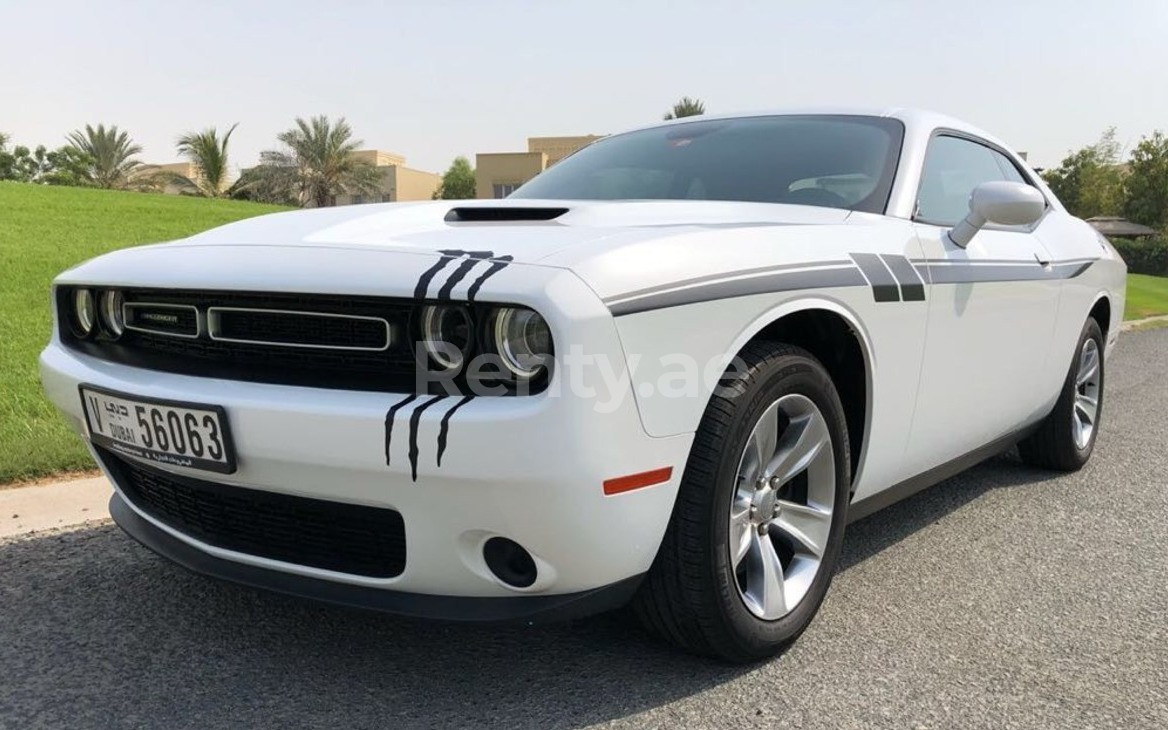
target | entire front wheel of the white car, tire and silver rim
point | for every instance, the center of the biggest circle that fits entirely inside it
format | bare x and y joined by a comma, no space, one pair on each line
759,523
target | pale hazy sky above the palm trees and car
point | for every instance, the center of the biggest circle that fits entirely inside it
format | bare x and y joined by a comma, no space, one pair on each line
436,79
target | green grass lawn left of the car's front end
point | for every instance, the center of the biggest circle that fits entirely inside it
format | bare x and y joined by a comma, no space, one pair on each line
44,231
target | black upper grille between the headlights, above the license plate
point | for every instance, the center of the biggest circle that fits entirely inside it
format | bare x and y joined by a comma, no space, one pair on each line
316,340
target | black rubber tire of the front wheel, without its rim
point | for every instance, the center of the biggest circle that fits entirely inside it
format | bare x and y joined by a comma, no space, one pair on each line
691,596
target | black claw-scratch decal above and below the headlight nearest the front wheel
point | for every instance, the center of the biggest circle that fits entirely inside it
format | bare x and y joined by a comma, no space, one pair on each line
460,274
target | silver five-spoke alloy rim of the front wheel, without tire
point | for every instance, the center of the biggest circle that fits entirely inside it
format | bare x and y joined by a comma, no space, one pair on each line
781,515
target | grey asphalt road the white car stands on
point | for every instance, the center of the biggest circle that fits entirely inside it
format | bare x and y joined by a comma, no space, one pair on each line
1005,597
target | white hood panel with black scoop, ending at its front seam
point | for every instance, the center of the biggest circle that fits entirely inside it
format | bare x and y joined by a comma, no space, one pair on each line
532,232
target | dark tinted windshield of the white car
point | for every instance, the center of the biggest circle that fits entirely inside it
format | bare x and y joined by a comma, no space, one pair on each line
836,162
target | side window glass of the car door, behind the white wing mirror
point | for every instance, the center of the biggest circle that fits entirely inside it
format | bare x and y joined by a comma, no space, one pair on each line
954,168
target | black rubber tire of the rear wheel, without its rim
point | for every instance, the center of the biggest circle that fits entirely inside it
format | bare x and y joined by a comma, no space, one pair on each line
1054,446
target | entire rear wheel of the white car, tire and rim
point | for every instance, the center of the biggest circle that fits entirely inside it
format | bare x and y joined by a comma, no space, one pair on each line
1067,437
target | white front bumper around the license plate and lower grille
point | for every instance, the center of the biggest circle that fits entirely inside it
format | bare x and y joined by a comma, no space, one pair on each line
527,469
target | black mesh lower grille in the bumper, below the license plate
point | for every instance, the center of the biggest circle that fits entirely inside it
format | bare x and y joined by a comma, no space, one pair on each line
350,539
